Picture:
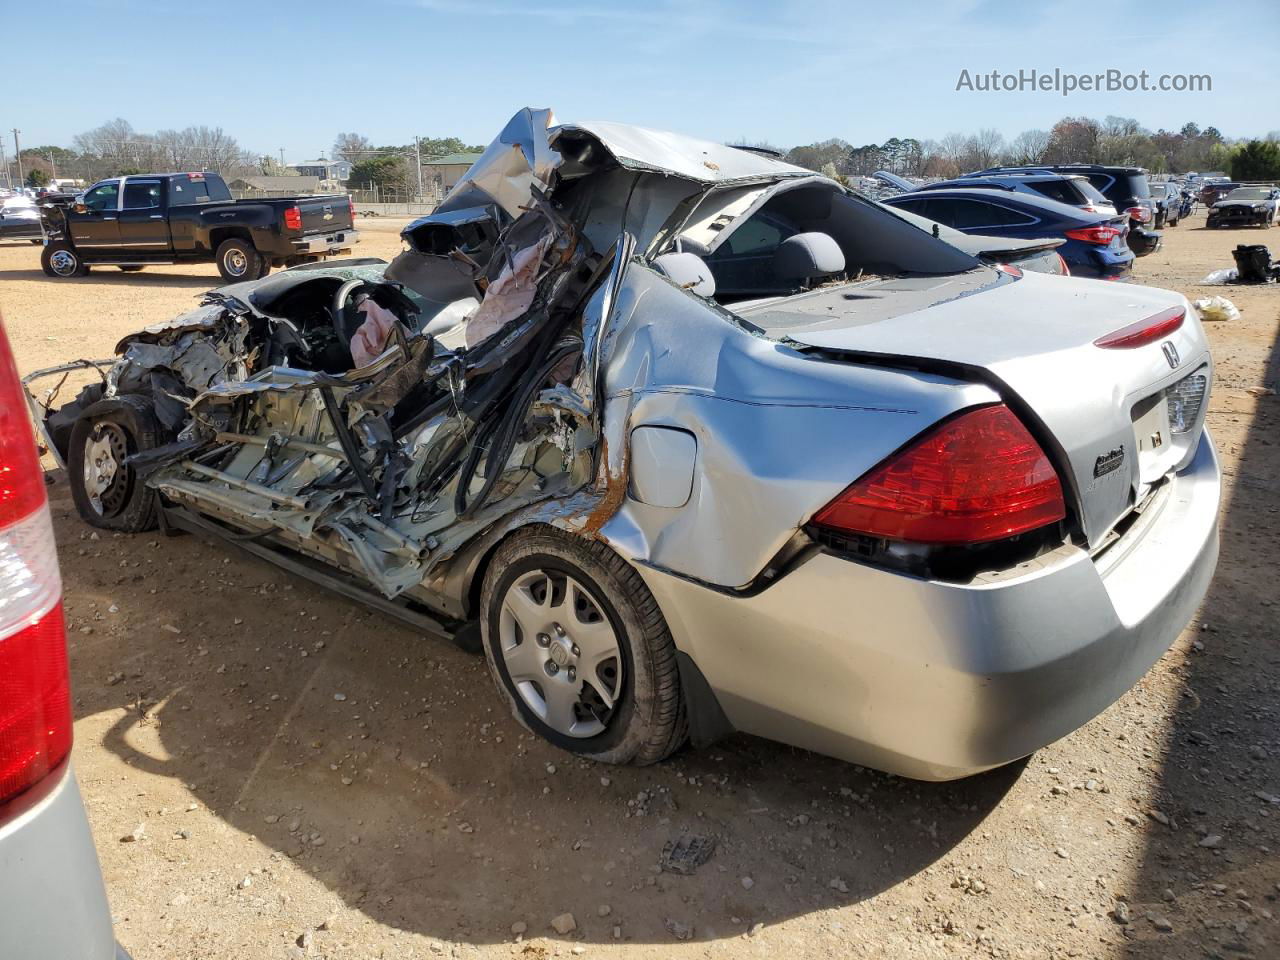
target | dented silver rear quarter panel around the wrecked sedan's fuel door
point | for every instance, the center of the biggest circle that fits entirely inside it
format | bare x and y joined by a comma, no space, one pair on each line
779,435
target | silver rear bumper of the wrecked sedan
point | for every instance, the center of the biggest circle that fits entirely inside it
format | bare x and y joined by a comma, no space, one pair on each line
938,682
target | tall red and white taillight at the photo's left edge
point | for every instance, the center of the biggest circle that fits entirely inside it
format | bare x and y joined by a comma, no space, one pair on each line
35,691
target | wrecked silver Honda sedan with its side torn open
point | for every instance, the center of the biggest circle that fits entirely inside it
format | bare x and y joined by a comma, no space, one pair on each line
691,441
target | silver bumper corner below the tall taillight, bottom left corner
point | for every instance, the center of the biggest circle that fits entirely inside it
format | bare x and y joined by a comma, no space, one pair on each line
52,898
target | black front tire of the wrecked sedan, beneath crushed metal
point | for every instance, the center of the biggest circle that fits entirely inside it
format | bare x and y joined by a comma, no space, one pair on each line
127,505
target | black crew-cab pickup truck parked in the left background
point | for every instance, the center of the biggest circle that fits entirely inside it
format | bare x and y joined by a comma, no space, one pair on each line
190,218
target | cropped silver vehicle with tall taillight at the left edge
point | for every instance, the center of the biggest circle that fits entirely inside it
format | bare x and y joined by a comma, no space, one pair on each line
52,898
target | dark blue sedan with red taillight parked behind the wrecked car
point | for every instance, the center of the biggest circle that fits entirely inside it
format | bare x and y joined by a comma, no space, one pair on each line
1095,243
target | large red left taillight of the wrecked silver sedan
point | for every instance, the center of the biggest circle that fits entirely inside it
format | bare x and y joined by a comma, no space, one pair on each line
977,478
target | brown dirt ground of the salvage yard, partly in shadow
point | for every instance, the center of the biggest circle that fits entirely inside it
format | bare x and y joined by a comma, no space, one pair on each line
272,772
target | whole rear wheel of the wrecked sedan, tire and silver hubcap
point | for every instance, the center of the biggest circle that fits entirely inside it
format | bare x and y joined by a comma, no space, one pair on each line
580,651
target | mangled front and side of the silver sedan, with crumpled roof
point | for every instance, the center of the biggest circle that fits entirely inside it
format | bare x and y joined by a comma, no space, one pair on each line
383,419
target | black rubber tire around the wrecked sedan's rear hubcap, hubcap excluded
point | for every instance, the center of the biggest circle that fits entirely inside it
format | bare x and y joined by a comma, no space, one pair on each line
648,721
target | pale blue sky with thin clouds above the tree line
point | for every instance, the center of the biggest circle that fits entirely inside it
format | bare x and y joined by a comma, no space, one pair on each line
295,75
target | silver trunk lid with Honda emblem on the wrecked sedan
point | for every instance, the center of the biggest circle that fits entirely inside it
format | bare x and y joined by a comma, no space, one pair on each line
1118,419
